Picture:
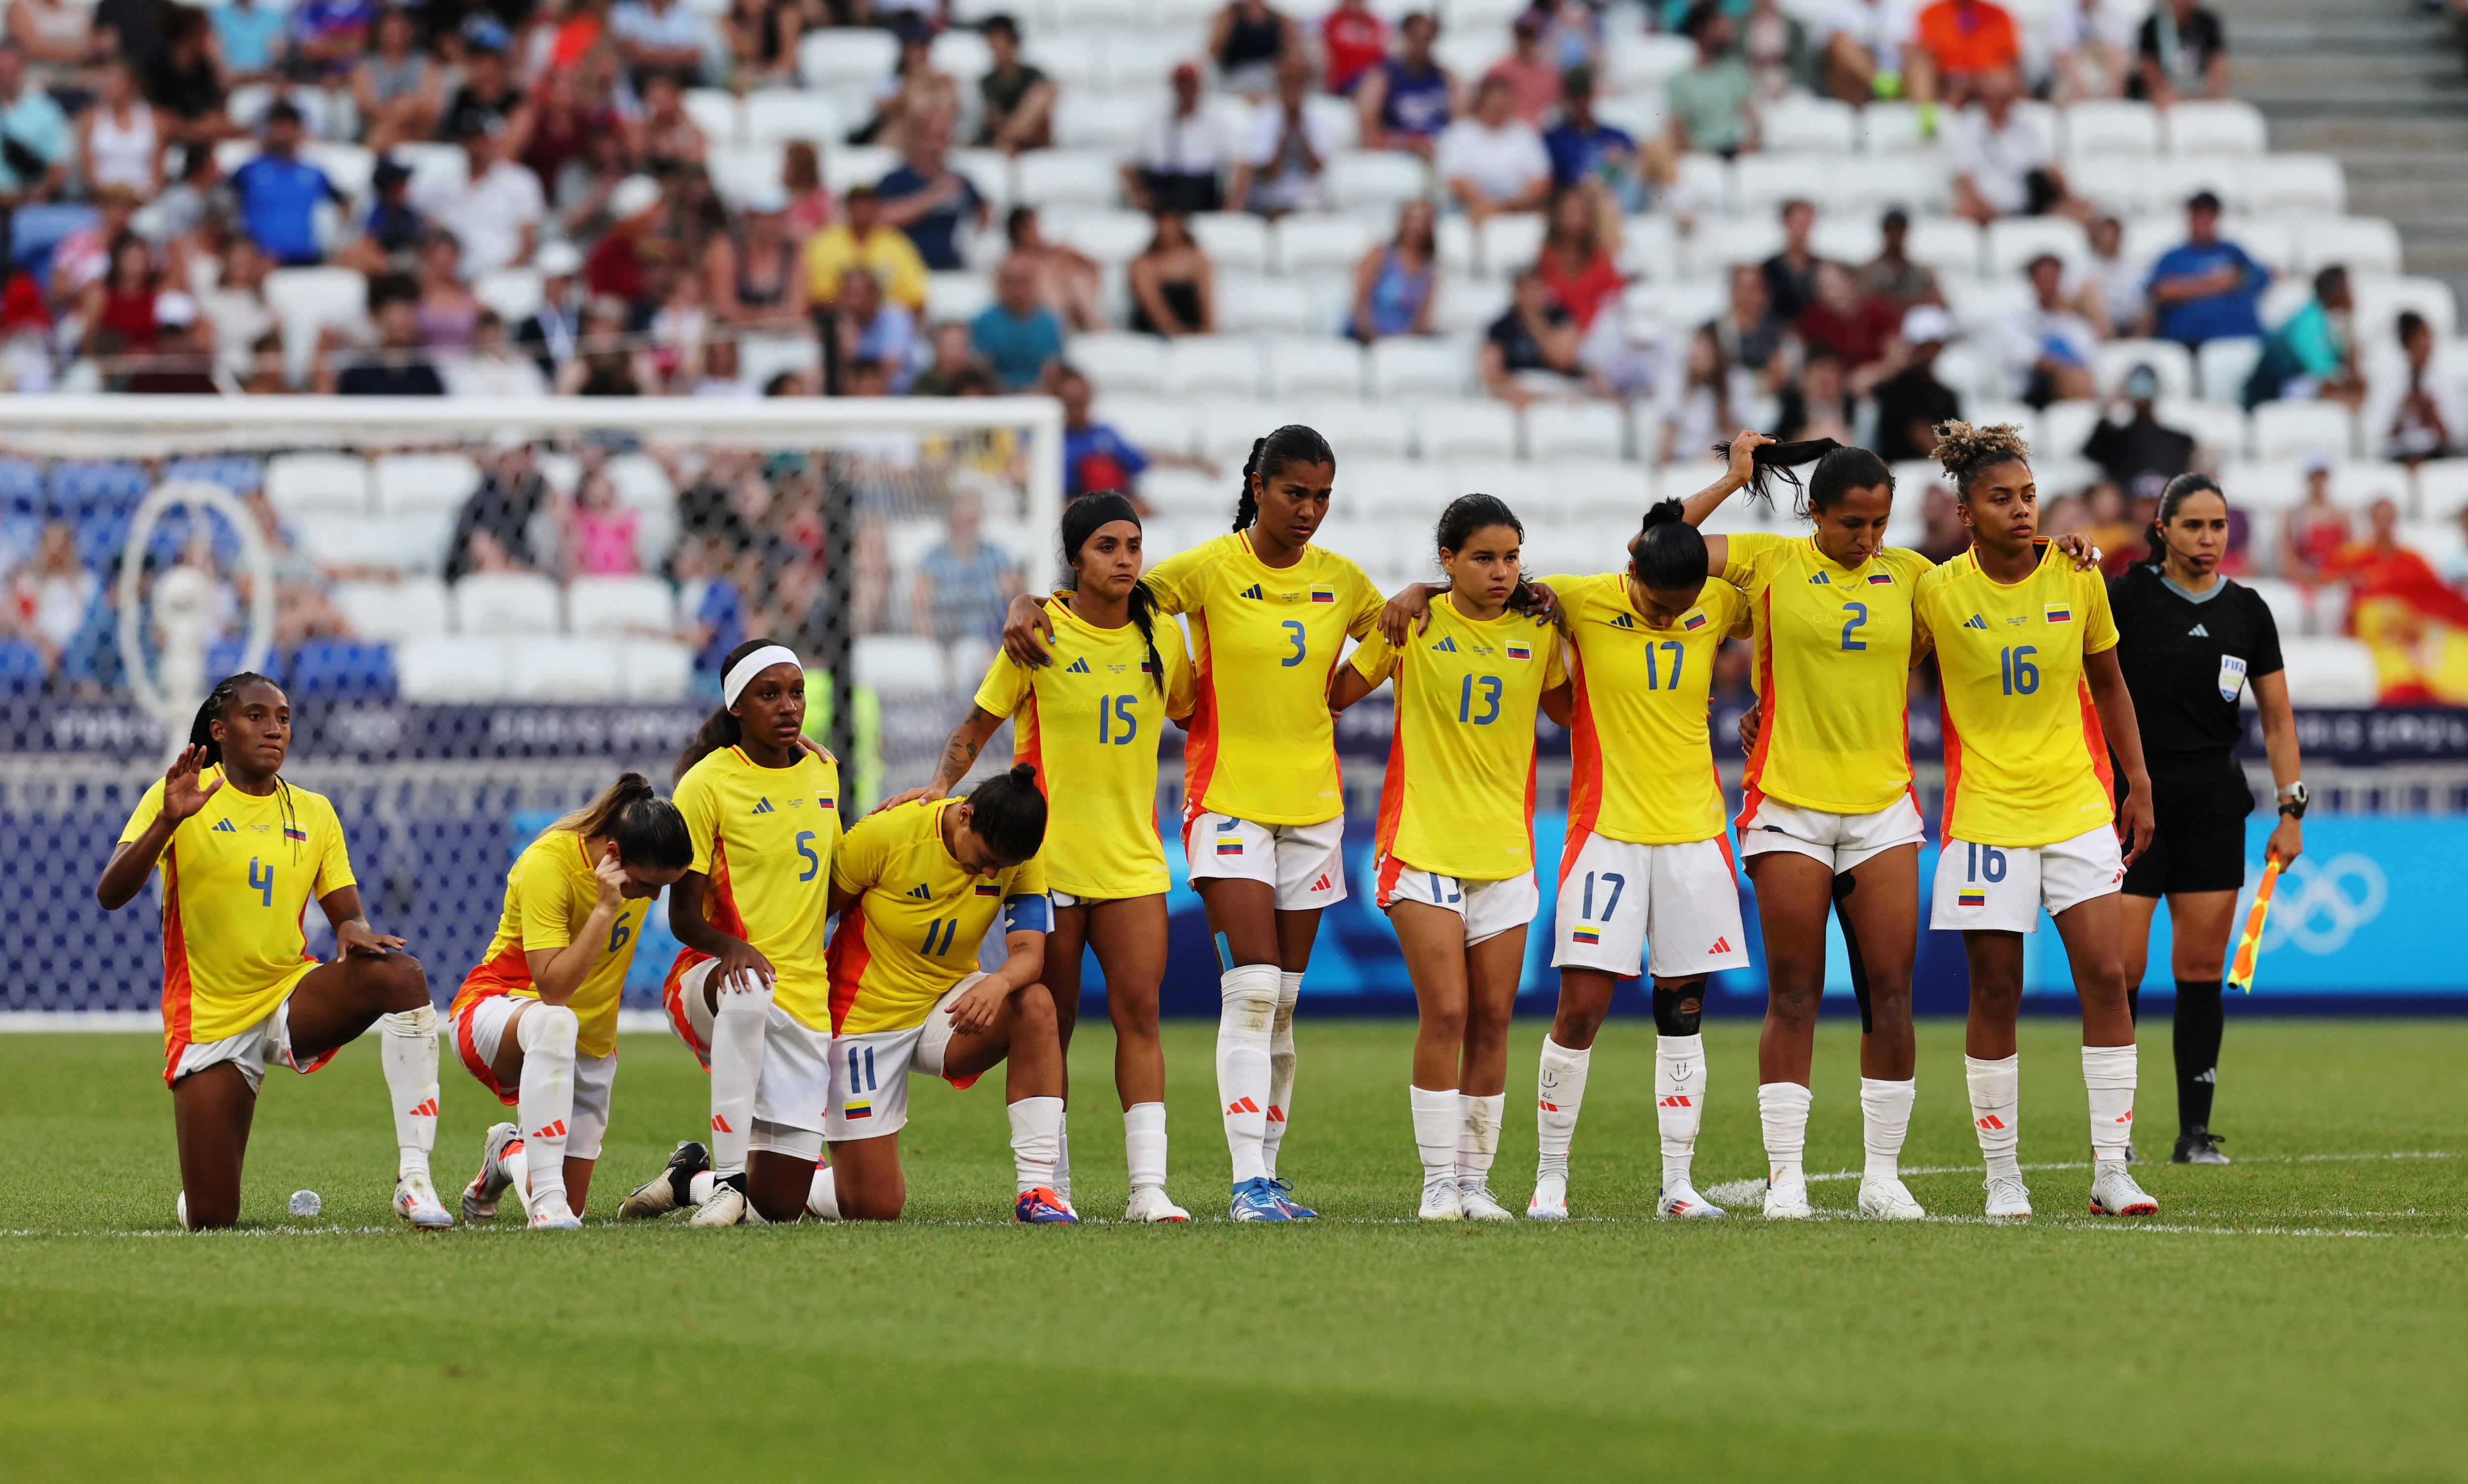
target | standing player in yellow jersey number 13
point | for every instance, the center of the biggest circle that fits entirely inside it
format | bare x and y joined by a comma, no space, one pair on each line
1457,838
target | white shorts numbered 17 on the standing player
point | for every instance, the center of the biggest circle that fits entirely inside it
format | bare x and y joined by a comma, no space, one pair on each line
1618,898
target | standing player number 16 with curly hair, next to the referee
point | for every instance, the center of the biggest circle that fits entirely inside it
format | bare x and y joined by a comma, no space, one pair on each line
2032,707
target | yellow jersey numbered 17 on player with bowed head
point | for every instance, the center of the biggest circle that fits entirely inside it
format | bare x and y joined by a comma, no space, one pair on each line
1642,764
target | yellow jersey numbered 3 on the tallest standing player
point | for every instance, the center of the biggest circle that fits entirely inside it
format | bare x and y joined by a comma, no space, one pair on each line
1265,643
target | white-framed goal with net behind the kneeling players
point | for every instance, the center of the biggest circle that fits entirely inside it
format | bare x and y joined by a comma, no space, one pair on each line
482,614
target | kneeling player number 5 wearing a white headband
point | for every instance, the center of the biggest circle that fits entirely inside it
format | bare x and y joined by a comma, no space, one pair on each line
749,989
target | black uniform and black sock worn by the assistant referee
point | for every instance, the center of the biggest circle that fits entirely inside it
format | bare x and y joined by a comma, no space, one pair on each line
2188,661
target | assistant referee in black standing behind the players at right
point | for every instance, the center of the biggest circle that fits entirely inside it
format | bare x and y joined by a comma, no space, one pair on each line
2190,643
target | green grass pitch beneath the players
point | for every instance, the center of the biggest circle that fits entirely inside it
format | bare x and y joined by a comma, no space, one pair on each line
2301,1315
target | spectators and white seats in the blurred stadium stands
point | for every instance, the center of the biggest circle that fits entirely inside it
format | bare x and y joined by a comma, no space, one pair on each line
1630,226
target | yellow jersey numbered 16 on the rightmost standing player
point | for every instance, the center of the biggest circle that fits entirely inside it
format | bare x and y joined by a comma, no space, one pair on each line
2025,754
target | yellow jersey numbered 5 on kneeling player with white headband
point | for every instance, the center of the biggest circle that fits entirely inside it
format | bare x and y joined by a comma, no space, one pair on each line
766,838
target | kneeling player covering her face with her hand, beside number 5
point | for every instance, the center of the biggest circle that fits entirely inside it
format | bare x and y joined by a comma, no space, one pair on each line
537,1021
